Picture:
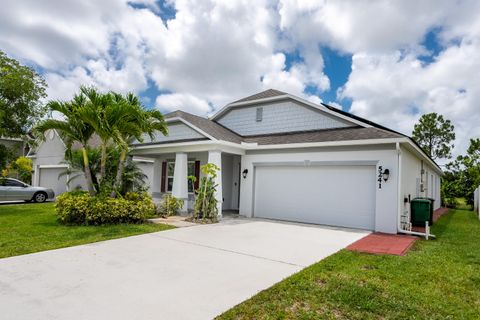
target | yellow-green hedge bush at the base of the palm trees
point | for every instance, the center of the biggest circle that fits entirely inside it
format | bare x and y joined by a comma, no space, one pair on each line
79,208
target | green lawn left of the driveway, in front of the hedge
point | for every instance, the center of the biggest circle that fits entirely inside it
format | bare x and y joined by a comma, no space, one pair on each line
27,228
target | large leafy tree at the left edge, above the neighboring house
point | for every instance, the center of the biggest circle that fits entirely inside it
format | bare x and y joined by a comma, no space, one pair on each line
21,91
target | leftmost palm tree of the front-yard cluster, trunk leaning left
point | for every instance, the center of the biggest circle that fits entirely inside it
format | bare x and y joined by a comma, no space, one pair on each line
72,129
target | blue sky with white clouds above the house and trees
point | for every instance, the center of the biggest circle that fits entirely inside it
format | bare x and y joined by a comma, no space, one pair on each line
388,61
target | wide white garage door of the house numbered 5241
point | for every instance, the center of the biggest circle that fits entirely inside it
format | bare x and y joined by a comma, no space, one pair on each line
331,195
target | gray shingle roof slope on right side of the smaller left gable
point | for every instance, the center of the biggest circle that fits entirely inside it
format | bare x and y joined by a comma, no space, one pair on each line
210,127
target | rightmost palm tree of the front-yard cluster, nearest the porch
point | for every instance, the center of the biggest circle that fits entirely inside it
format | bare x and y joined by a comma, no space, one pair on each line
134,121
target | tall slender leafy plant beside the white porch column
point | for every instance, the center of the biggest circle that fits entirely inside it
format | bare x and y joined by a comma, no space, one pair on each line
205,201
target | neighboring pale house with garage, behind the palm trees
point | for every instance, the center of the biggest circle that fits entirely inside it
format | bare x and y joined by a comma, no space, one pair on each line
49,165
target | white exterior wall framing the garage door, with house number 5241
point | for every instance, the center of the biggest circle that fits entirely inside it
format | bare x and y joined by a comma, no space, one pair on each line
385,198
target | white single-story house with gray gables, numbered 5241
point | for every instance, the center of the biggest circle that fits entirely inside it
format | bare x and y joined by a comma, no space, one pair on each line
285,158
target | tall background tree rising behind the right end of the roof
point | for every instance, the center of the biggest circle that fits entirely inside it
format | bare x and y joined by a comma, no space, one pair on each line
435,135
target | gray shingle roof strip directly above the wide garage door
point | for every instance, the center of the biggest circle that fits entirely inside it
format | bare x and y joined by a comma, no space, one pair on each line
339,134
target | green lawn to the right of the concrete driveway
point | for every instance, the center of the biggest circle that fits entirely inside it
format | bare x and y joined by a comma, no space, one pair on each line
438,279
